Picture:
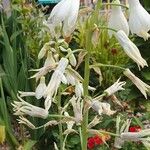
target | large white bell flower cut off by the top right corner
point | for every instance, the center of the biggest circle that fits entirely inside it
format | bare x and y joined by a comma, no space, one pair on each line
139,19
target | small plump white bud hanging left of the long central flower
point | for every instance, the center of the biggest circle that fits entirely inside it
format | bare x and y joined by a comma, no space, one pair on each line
40,88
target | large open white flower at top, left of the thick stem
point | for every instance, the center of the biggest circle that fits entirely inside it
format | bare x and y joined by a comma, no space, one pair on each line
65,12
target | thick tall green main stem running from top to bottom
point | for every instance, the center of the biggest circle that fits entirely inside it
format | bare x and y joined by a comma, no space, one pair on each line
88,46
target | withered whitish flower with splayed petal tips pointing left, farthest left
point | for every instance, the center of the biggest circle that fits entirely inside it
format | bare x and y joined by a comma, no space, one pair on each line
25,108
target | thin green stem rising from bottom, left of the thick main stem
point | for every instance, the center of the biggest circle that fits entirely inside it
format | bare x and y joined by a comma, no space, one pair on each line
60,125
